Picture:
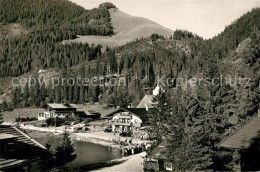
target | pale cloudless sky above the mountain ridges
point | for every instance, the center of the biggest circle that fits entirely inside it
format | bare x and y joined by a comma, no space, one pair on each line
206,18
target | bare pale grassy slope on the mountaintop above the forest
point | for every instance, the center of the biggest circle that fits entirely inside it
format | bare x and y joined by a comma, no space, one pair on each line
127,28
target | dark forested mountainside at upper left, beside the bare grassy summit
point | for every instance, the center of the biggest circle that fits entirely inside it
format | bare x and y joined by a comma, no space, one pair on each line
45,24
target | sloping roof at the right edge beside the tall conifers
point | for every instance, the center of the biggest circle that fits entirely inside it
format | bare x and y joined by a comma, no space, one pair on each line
242,138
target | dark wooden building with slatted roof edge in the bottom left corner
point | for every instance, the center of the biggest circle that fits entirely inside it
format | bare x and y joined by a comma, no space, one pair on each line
18,150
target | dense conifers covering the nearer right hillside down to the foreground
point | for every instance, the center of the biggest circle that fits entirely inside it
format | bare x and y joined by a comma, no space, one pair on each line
199,118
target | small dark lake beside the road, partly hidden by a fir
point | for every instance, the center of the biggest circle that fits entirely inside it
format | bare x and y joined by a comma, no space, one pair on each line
87,153
